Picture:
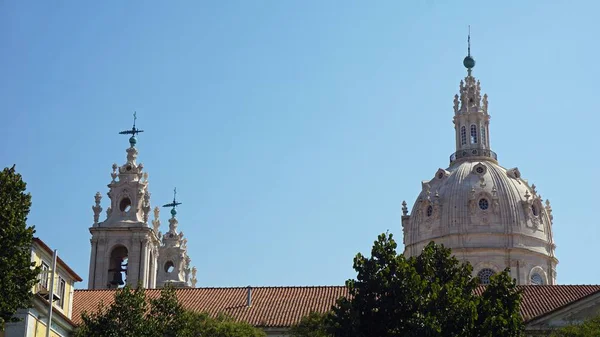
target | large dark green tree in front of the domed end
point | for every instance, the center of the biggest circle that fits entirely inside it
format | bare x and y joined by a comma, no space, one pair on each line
432,294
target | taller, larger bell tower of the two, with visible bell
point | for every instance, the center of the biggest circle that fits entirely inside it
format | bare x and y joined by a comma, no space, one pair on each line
124,248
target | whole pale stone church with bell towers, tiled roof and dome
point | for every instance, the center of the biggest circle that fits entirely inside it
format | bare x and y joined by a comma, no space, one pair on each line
487,214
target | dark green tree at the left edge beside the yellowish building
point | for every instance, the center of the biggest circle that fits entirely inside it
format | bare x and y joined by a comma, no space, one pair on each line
17,273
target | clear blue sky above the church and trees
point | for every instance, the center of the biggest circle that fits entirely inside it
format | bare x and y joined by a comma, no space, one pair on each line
293,130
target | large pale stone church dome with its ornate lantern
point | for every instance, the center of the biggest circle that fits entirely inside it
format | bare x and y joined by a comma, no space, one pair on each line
488,215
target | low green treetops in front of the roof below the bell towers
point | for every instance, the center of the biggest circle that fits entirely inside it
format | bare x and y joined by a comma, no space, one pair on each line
134,315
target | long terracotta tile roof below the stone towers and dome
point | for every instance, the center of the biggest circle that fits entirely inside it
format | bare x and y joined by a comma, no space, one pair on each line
284,306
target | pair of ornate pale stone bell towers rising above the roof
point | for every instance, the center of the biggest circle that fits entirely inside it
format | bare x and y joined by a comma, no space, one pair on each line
125,249
